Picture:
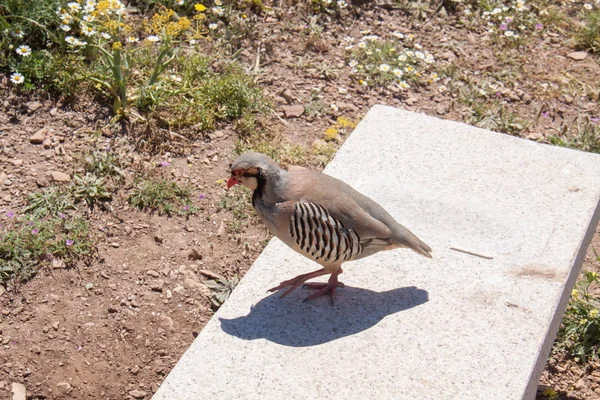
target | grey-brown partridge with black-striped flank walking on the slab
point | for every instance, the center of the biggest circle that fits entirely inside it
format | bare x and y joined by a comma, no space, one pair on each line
320,217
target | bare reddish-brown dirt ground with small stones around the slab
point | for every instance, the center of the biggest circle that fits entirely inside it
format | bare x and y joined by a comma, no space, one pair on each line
115,329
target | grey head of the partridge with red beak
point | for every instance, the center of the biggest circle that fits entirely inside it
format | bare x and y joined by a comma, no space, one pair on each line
250,169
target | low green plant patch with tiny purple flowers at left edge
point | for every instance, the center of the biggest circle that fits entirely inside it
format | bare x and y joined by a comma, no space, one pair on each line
28,243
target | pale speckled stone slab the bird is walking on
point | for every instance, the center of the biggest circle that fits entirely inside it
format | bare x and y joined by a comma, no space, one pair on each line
406,327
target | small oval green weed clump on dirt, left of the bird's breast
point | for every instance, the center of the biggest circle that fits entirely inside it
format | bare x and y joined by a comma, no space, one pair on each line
162,196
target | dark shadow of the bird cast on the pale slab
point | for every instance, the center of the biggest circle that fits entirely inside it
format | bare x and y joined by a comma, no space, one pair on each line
290,322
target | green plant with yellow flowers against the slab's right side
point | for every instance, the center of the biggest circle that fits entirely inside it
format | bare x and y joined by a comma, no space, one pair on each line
579,333
